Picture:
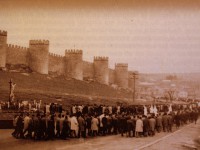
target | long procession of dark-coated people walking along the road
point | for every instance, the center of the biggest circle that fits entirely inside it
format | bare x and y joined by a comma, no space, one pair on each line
91,121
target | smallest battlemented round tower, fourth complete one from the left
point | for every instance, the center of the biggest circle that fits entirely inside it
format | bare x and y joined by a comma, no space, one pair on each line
121,75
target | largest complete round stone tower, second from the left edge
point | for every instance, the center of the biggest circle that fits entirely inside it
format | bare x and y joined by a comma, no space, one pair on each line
39,55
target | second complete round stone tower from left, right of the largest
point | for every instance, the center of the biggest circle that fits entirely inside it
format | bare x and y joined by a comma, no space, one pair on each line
74,64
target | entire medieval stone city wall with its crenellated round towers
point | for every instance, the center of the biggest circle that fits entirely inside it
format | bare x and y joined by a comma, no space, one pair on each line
38,58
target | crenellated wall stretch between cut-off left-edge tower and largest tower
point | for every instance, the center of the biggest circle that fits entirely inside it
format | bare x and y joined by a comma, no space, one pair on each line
16,55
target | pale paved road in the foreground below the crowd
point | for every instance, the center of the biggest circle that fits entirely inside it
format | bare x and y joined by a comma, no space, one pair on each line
169,141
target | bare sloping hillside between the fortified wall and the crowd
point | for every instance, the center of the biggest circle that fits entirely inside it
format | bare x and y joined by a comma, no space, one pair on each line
30,86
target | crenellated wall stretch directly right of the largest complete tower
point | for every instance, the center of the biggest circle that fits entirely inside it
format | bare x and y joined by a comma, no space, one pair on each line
56,64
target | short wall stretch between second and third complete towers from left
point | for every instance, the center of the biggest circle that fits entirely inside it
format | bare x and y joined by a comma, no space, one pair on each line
88,70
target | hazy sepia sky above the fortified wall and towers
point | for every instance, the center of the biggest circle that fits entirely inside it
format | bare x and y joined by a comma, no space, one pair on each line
152,36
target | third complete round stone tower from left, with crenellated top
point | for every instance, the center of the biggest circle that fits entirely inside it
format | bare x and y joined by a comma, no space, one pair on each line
101,71
